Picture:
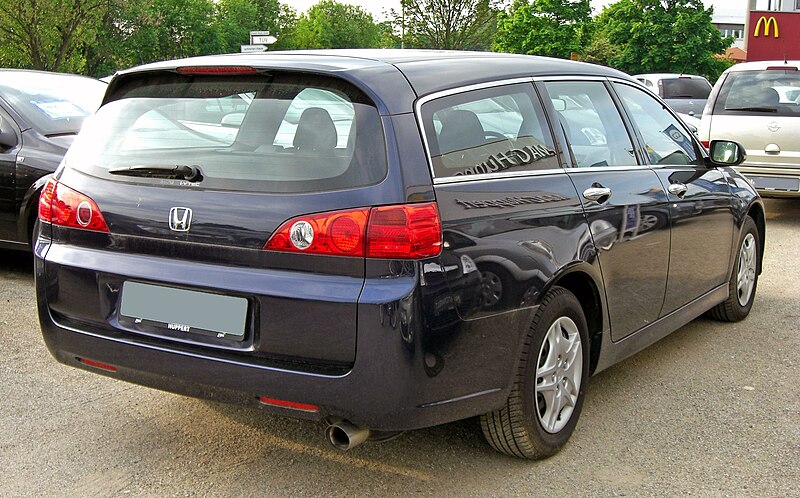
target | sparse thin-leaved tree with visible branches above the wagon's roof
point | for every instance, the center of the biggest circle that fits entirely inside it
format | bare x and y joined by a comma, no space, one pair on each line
447,24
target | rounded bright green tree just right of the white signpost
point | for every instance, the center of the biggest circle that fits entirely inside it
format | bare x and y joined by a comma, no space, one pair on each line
330,24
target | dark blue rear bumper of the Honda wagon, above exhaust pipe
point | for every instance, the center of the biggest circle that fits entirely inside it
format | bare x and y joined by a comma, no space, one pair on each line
405,376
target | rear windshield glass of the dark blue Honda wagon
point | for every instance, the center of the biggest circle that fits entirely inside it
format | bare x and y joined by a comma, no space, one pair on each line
267,133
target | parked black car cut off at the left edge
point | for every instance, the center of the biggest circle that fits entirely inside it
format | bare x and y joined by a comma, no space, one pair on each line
40,114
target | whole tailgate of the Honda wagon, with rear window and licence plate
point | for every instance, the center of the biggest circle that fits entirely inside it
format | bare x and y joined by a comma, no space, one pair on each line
185,177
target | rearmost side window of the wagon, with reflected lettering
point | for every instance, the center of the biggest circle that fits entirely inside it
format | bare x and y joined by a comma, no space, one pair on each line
488,131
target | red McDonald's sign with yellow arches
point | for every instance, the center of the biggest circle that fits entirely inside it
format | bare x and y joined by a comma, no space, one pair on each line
773,36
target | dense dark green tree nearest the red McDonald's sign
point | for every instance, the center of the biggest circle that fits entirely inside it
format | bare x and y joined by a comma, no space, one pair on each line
663,36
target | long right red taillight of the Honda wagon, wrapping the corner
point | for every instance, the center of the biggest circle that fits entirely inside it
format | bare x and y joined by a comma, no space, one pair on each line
407,231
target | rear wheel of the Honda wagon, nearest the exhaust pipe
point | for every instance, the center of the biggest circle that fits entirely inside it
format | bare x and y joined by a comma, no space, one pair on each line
546,398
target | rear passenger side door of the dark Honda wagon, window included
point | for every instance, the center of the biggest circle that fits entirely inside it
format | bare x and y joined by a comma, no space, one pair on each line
625,202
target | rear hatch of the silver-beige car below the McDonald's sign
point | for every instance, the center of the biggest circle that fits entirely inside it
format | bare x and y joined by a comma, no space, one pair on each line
761,110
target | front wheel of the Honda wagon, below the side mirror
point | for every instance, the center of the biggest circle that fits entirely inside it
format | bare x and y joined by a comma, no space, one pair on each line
744,277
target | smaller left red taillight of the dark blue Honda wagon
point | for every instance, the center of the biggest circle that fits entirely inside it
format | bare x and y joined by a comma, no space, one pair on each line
63,206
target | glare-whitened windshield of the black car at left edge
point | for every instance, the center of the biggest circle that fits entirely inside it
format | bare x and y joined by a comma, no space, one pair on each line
53,104
